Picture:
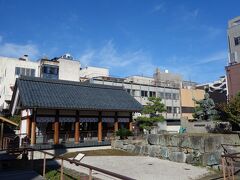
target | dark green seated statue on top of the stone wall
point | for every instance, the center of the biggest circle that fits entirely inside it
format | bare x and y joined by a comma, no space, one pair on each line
205,111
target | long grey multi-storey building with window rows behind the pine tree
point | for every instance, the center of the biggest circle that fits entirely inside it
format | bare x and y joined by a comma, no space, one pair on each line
141,88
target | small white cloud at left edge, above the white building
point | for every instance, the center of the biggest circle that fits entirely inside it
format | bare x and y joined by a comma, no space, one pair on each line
17,50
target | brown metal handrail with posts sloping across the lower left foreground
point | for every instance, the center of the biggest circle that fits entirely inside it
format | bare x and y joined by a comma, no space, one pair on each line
90,167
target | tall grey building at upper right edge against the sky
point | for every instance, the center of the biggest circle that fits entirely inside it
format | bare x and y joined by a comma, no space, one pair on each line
234,40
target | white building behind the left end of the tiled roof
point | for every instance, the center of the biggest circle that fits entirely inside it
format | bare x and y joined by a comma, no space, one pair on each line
64,68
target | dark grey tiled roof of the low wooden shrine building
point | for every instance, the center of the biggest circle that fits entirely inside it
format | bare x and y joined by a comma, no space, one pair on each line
59,94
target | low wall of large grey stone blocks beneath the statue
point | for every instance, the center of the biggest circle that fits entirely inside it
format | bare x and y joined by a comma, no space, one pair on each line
198,149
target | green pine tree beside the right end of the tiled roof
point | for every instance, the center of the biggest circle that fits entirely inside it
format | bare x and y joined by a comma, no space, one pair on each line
151,114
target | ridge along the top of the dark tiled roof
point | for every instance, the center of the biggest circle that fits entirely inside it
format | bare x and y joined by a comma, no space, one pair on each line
66,82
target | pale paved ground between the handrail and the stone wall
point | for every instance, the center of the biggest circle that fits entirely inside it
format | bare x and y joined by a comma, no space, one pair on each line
141,167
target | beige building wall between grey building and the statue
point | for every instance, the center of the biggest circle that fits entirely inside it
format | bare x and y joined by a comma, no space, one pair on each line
187,101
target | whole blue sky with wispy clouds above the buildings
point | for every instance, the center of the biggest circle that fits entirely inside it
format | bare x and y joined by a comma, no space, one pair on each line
131,37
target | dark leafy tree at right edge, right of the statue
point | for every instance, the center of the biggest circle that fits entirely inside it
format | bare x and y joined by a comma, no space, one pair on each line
231,111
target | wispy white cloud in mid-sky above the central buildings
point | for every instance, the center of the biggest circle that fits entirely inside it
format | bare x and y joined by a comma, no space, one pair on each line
127,63
